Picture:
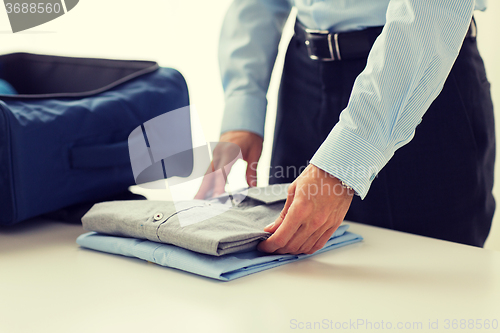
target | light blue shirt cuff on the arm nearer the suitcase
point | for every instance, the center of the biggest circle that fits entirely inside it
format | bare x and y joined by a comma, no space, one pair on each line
244,113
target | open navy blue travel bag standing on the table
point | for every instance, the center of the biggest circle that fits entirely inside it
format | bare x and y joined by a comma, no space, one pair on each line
63,136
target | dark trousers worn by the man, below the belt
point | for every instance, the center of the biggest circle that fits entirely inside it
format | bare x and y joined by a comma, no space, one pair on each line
438,185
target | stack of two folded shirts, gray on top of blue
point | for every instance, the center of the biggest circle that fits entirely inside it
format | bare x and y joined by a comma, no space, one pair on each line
222,246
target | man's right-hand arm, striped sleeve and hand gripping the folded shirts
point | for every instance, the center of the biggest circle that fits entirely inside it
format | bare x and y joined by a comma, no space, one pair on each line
405,72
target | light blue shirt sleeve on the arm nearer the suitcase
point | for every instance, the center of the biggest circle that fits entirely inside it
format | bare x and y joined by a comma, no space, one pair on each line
247,51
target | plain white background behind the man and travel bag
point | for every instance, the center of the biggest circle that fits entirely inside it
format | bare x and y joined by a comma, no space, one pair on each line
183,35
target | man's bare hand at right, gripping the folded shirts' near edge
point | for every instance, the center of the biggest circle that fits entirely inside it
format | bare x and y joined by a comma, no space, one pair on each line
315,207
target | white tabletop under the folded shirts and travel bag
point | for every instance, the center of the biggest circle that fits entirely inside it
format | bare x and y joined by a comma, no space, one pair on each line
49,284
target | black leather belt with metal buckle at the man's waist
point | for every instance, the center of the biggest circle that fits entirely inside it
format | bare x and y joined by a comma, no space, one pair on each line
326,46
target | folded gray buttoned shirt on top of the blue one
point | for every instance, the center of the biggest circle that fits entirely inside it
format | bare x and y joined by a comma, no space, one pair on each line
237,229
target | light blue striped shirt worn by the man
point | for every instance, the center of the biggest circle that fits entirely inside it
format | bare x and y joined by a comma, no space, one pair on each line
405,72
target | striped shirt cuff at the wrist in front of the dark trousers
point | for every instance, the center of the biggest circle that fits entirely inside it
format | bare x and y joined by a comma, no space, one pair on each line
350,158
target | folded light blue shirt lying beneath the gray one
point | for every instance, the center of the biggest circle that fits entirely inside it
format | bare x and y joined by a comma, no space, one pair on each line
225,268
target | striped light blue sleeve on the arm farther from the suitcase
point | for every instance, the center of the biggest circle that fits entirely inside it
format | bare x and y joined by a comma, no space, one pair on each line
405,72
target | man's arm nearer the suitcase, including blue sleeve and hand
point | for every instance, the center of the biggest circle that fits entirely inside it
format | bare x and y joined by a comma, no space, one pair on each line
247,51
